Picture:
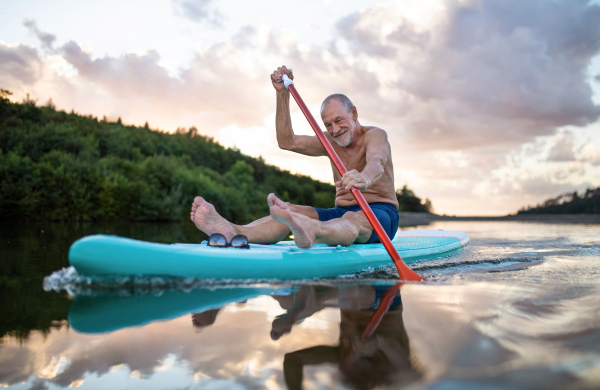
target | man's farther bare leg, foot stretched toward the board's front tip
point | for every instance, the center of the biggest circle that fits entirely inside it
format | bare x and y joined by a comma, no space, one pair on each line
262,231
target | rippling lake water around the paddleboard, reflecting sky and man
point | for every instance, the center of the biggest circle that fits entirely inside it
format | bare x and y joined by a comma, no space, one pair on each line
520,309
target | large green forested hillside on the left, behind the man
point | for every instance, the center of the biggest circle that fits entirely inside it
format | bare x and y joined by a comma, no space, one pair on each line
64,166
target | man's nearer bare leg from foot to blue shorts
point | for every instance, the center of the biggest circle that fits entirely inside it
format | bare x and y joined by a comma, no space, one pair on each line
352,227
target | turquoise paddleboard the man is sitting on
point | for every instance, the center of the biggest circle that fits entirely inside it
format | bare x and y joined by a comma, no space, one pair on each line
102,255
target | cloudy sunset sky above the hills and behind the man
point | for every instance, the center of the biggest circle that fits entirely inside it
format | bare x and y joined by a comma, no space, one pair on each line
489,105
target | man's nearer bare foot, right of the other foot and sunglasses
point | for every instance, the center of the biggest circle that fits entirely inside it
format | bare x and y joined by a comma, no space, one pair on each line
302,227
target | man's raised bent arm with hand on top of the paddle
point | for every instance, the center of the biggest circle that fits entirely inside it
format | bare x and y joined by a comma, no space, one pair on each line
303,144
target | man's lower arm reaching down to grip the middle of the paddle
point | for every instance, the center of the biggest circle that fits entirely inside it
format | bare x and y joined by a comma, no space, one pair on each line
378,153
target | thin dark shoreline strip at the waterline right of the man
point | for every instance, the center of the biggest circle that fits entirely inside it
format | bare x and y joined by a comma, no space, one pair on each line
414,219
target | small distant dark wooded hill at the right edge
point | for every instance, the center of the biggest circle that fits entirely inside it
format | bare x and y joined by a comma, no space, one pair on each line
587,203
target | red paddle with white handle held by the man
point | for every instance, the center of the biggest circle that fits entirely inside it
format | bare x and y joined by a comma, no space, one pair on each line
404,272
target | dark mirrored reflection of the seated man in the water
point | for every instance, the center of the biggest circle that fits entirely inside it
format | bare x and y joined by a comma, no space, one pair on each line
373,346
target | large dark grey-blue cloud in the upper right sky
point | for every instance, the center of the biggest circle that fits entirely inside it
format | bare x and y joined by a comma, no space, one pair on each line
500,69
